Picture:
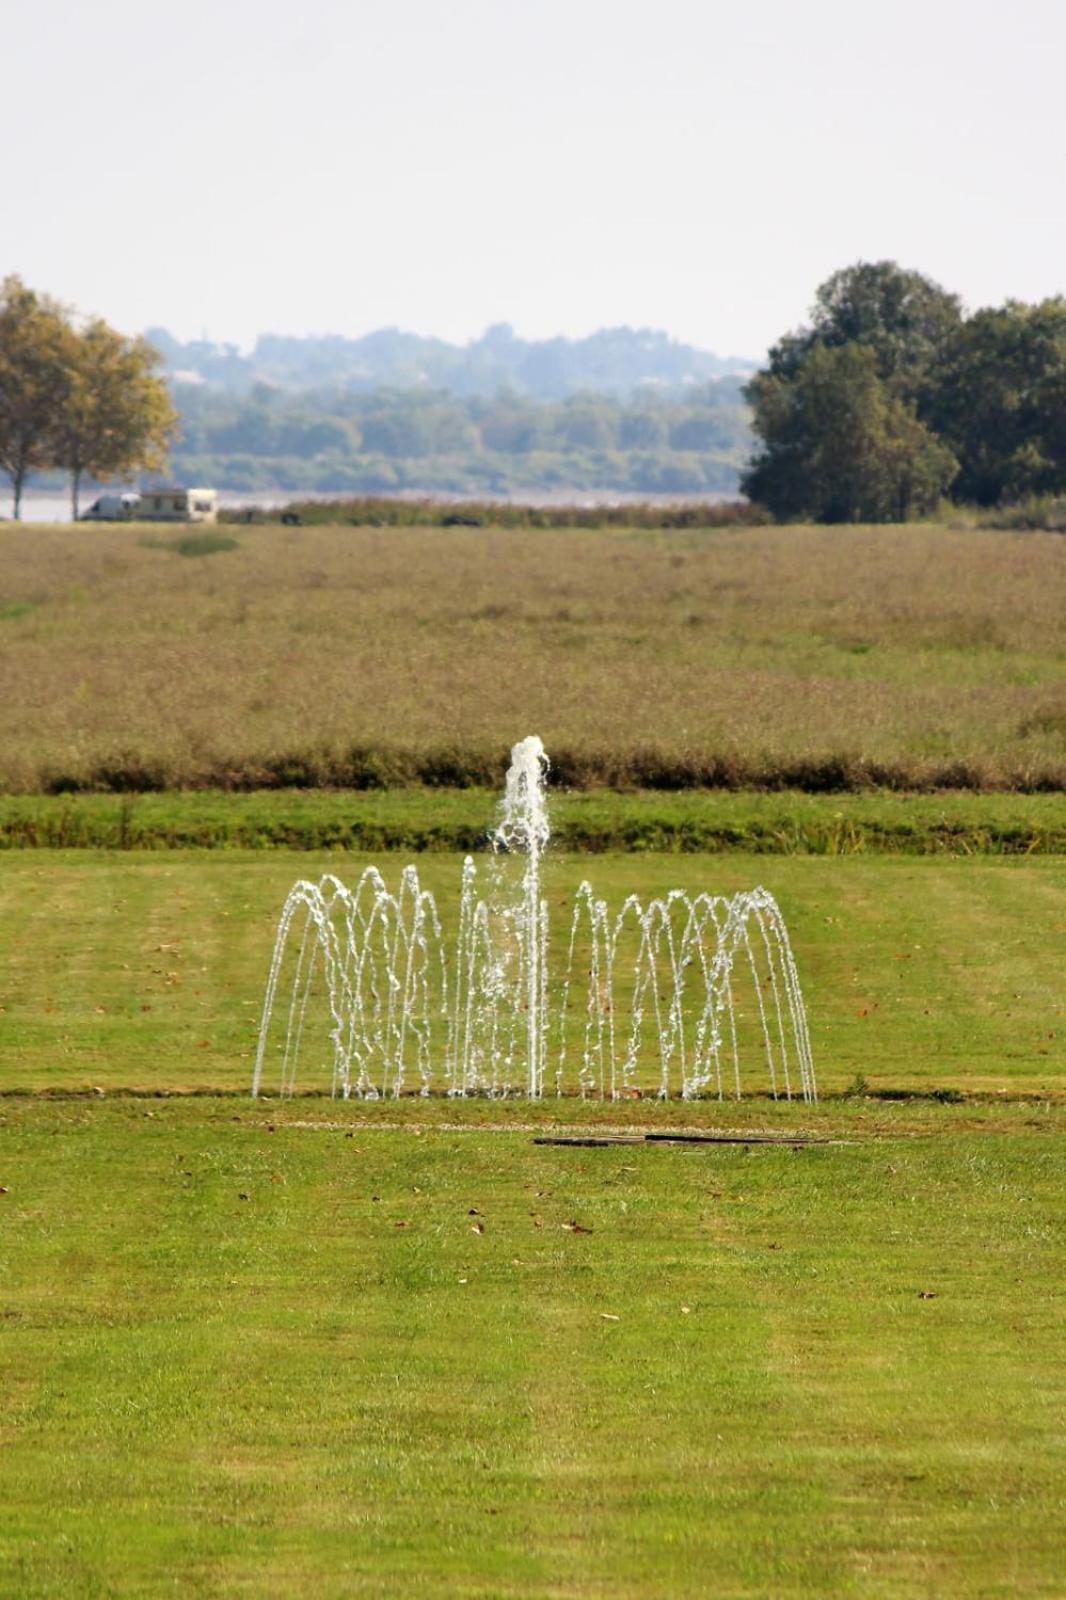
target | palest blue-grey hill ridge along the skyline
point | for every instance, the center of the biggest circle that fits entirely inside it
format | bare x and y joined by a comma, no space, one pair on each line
614,361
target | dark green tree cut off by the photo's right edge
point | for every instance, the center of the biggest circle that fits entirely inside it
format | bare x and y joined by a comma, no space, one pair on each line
1001,402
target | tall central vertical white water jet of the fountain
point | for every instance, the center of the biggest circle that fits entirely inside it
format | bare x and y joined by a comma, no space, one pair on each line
524,828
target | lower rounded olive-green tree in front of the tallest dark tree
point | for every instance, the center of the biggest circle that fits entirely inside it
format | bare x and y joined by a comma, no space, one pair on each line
840,446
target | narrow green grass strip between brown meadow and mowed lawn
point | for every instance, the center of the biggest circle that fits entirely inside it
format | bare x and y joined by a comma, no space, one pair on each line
433,820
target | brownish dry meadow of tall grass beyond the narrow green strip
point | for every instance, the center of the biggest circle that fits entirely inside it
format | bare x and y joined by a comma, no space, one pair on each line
814,658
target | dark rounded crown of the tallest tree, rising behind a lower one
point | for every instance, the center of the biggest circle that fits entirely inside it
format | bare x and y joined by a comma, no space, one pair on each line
904,318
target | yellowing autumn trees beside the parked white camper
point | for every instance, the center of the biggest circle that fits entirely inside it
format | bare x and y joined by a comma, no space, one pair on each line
76,396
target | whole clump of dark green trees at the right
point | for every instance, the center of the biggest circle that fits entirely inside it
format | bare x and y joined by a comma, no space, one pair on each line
892,399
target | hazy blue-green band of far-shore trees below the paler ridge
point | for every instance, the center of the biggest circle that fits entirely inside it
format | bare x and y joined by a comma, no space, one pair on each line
436,441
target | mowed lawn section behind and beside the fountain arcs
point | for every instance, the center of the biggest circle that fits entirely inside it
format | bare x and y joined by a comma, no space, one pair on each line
146,970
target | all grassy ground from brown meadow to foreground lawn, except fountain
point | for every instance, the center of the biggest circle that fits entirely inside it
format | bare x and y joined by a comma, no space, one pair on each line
321,1348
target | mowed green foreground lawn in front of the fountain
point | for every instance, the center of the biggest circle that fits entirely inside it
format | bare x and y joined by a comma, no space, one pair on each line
279,1351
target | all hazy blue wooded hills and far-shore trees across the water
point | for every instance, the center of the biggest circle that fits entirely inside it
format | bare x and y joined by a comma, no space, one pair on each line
625,410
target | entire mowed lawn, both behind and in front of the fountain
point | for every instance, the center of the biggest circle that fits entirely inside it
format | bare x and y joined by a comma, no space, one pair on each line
396,1350
